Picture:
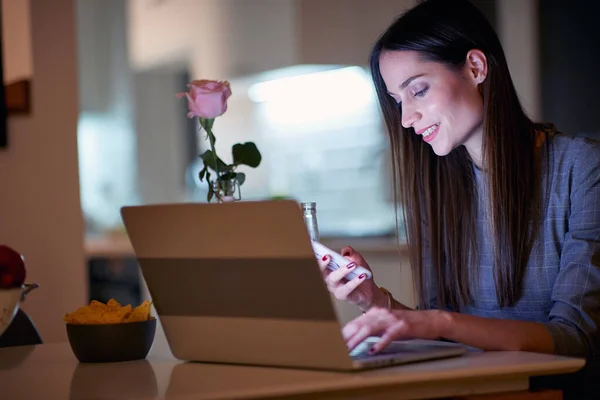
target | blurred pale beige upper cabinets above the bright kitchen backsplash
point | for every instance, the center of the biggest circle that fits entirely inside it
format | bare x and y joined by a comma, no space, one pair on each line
224,38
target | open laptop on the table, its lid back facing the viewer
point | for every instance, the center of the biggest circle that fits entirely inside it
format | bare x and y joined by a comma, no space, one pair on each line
239,283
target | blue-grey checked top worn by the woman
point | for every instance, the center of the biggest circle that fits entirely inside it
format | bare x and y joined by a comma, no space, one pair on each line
562,281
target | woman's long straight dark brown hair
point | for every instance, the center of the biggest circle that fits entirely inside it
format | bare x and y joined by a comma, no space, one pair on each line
437,195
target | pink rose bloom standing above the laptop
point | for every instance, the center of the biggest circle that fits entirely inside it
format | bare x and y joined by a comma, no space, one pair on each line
206,98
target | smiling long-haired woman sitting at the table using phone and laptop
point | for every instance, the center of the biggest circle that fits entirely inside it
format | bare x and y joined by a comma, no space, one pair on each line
502,215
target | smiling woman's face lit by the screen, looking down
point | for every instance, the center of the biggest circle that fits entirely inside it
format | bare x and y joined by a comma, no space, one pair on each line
443,106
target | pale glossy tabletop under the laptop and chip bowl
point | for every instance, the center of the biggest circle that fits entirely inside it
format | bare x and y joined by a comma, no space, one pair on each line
51,371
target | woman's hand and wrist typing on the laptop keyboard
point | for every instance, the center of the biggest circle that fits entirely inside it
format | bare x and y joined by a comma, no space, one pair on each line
393,325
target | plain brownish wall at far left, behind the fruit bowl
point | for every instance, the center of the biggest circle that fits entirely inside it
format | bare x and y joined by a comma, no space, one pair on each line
40,213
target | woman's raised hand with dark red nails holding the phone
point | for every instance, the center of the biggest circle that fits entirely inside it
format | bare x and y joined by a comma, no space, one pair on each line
359,291
